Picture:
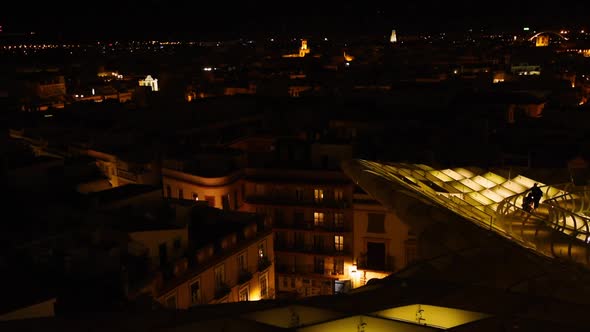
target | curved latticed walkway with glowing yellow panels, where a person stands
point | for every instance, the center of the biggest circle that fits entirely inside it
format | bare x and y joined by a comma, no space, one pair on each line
558,228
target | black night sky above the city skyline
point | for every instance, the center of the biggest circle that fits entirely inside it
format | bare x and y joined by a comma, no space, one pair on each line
160,18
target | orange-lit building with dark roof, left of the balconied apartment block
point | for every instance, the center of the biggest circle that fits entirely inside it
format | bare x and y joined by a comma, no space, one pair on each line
233,255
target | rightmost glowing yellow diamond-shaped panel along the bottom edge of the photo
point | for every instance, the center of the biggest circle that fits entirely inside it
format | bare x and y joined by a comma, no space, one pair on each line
432,315
